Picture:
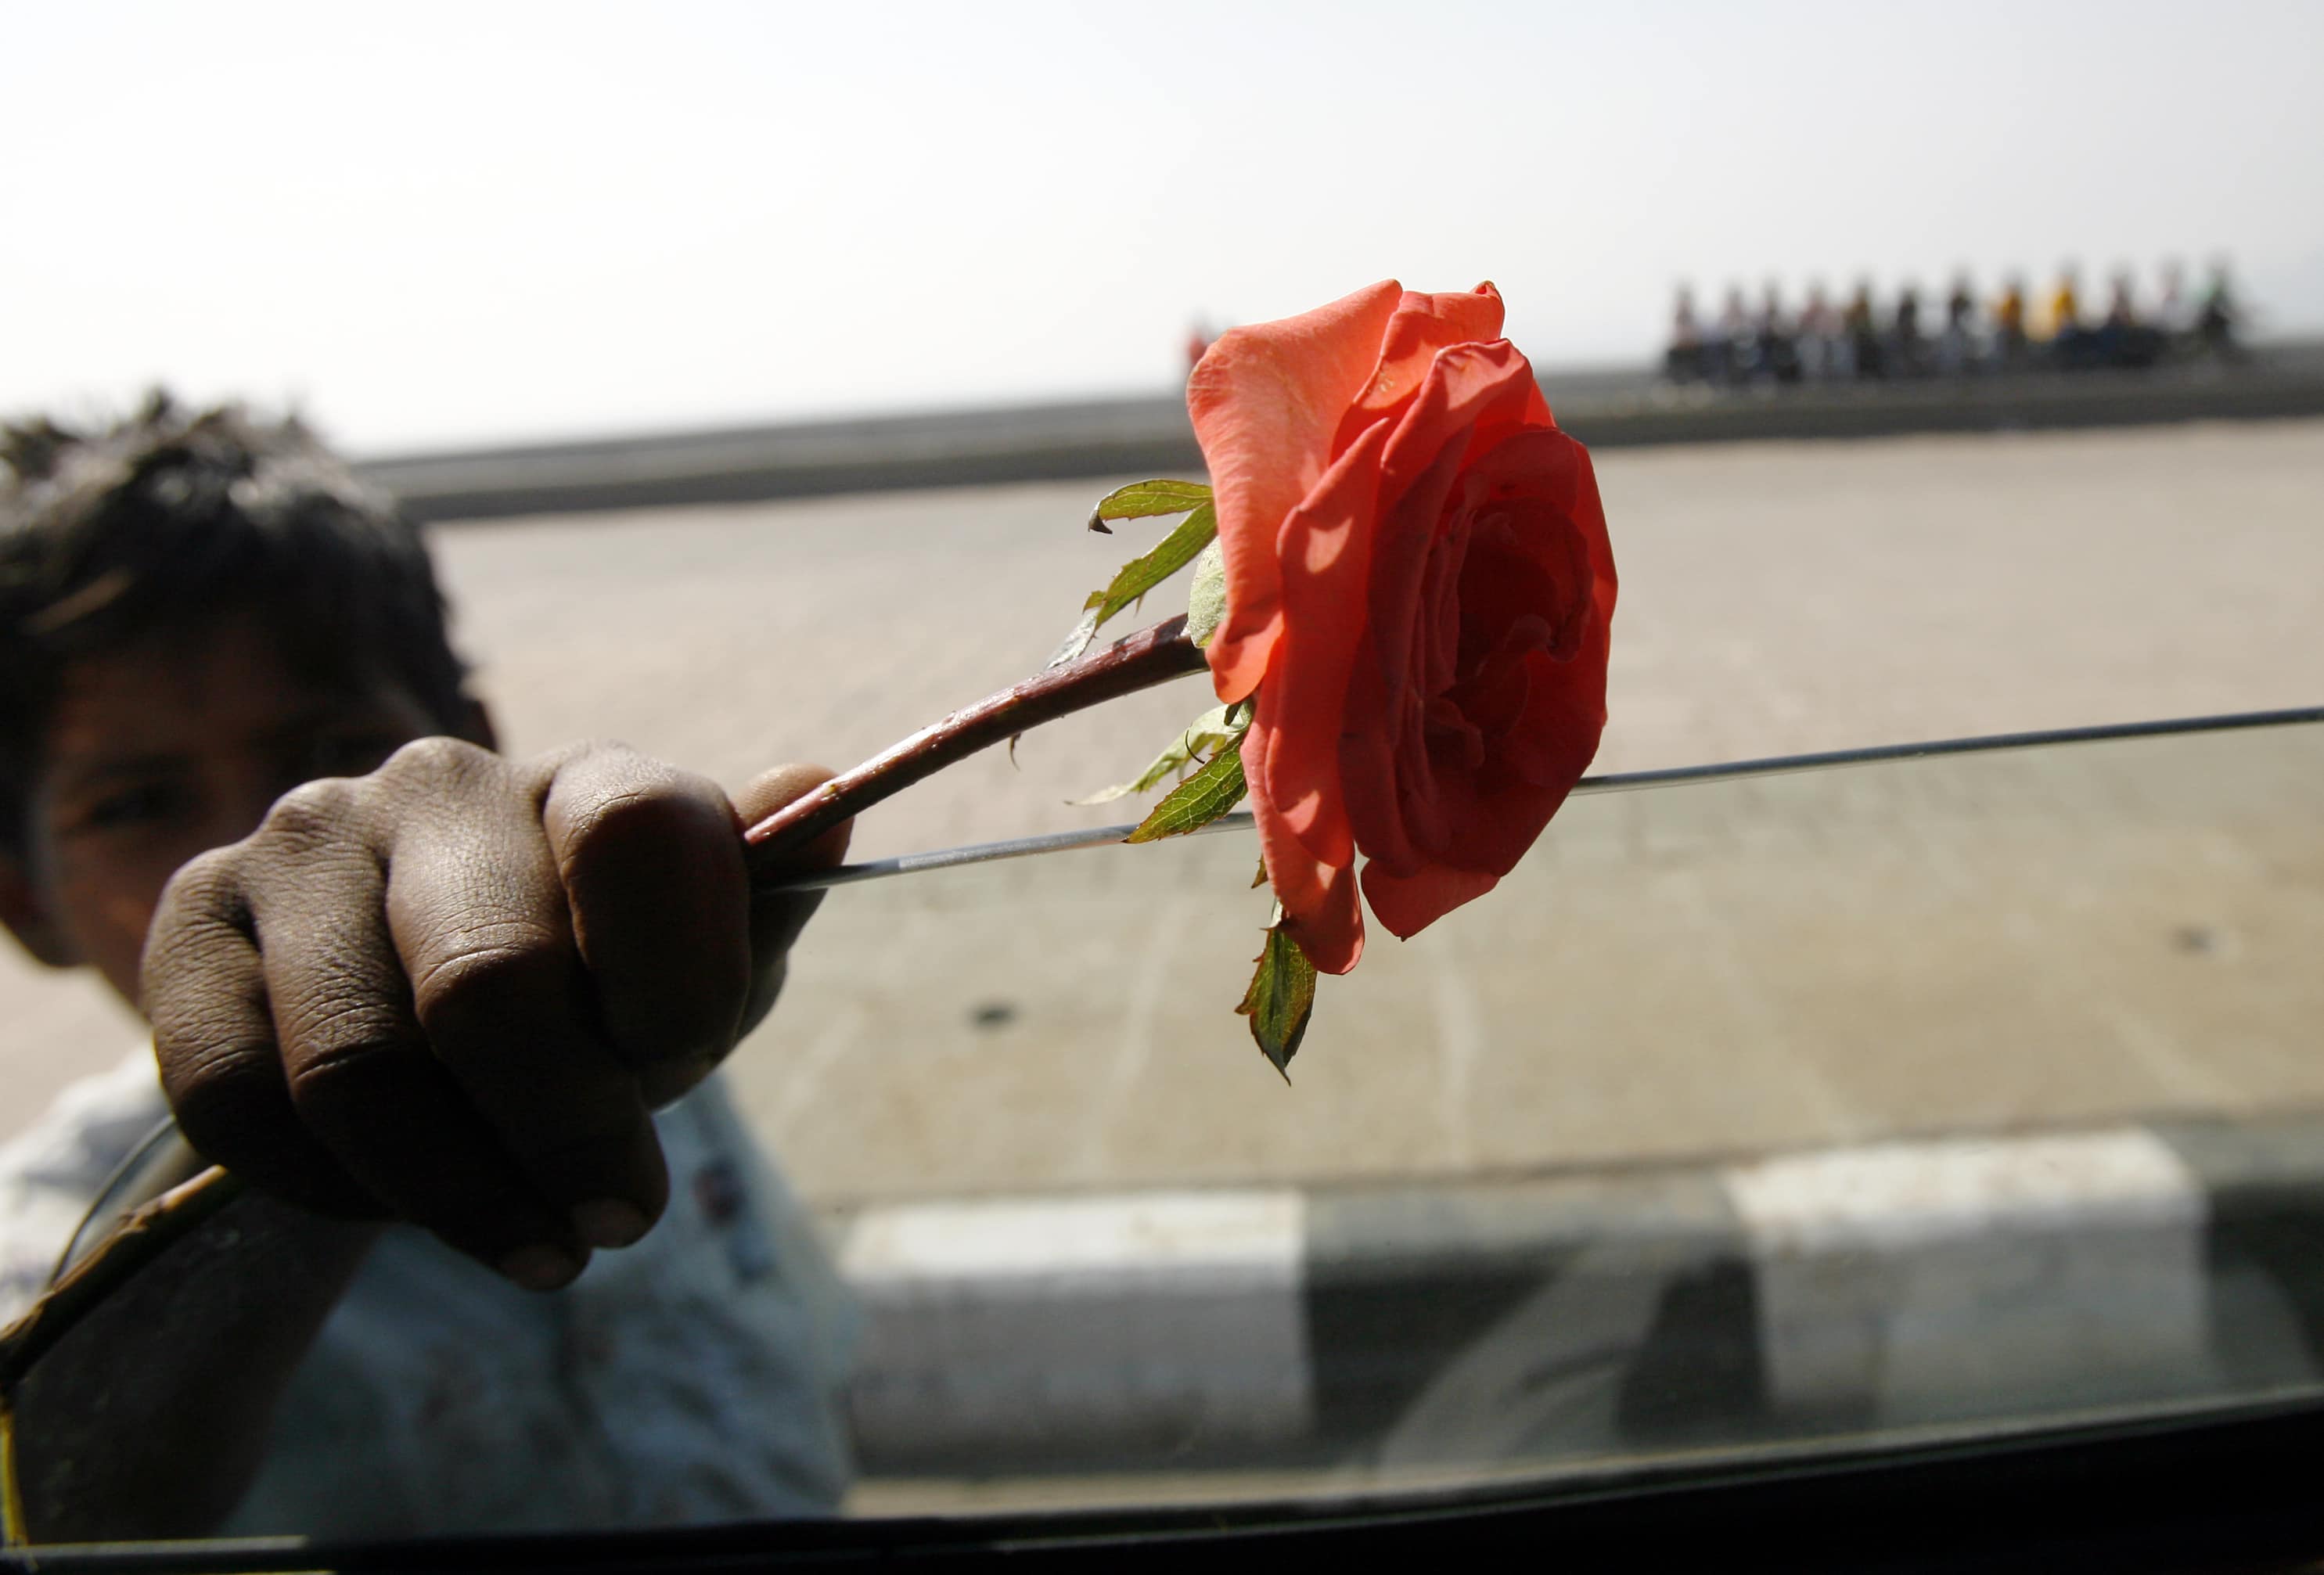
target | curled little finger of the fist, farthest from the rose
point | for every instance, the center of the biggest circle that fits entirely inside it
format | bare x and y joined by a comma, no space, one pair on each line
203,991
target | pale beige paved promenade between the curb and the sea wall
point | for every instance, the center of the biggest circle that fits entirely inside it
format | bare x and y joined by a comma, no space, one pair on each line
1772,965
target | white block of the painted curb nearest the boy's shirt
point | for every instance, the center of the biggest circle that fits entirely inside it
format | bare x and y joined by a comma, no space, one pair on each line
1079,1323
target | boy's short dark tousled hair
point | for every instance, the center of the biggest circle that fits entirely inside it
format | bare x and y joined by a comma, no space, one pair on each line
175,517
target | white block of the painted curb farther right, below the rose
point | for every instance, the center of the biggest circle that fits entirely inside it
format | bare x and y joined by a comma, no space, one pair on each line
1953,1279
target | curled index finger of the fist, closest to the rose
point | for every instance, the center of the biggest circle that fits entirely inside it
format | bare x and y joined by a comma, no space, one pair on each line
661,902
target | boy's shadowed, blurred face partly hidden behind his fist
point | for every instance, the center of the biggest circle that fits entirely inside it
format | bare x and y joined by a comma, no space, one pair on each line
168,749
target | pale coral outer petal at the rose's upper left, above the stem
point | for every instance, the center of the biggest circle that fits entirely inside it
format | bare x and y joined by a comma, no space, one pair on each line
1268,403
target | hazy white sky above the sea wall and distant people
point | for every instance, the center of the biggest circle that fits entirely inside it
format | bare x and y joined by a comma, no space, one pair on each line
447,224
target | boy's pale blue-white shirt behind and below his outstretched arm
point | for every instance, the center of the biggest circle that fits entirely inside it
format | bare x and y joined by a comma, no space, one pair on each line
696,1376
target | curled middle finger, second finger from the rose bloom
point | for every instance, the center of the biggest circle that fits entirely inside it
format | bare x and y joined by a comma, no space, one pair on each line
478,921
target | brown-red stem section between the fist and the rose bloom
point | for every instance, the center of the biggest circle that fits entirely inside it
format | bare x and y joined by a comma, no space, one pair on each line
1135,663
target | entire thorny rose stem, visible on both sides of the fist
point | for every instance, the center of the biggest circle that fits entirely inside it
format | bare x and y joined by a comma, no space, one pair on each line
1131,666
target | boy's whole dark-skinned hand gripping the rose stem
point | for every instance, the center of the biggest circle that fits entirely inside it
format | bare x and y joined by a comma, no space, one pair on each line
454,988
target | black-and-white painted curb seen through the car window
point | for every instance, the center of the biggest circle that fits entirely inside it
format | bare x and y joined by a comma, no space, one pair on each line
1886,1286
